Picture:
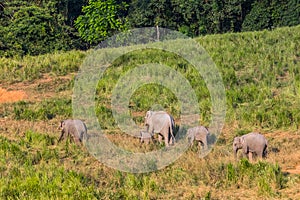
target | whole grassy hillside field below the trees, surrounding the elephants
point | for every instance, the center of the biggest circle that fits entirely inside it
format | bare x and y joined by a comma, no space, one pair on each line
261,75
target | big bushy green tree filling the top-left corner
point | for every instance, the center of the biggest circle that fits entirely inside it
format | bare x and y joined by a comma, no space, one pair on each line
35,27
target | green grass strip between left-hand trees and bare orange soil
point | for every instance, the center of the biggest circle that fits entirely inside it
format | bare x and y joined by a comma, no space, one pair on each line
30,68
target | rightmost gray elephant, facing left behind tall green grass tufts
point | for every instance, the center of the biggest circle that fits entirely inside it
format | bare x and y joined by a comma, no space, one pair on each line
251,143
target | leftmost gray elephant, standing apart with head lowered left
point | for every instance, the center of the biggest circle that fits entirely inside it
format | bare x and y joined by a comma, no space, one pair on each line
75,129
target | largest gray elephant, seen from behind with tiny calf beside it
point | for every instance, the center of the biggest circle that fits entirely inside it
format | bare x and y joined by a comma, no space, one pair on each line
162,123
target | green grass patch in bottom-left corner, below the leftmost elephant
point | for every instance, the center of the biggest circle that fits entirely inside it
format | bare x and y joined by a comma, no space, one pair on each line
30,169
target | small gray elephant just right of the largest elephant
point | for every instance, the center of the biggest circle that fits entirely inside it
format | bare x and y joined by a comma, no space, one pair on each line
200,134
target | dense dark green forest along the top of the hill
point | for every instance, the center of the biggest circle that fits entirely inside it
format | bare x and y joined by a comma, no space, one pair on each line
37,27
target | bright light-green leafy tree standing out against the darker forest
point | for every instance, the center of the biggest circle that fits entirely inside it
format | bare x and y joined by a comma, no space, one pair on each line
101,19
